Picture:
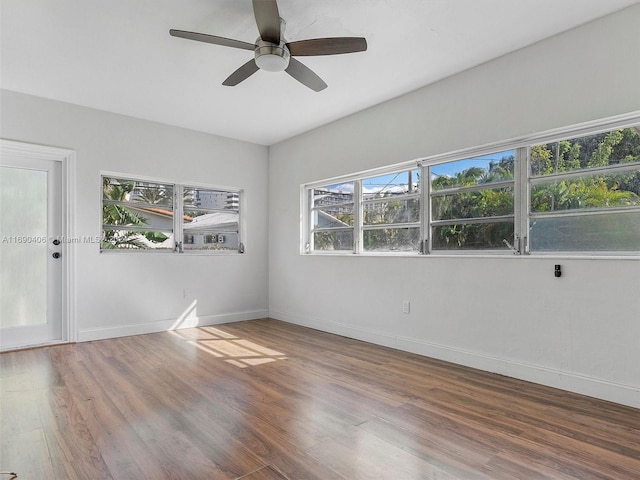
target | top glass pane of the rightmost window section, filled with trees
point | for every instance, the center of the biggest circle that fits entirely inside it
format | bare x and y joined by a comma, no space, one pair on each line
601,150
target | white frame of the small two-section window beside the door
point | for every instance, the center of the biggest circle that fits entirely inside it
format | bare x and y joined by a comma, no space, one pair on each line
177,220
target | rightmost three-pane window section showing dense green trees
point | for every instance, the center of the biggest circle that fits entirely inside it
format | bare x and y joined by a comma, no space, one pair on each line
585,193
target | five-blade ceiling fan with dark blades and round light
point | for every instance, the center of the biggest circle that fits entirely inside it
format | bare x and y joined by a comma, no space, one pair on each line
272,53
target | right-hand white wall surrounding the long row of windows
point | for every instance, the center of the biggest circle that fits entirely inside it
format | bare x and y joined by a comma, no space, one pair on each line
508,315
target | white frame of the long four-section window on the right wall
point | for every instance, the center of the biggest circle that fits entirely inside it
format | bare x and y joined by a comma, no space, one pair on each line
522,183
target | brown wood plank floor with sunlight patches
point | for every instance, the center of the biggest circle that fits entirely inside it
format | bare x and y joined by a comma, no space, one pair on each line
265,400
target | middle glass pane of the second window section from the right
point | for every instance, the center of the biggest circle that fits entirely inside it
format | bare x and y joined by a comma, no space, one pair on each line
485,203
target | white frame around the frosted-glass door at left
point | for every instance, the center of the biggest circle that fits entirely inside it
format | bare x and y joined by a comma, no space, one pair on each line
67,158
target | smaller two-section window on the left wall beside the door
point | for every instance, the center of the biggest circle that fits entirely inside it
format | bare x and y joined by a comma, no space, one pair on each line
142,215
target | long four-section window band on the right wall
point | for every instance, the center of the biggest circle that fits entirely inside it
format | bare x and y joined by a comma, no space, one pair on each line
580,194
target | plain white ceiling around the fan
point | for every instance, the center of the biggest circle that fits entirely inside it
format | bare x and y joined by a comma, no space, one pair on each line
117,55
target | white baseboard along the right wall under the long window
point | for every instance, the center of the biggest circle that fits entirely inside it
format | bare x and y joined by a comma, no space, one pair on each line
569,381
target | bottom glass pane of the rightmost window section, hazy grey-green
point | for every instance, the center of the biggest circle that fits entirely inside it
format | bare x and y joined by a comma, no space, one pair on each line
611,232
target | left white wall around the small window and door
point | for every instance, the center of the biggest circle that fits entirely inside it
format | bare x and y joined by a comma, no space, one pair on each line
136,293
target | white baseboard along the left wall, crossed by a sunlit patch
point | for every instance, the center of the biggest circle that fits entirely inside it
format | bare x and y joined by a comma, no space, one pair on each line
91,334
